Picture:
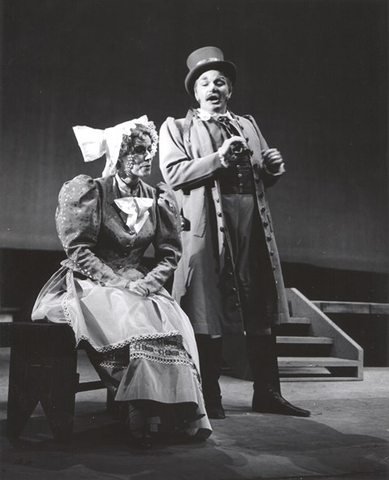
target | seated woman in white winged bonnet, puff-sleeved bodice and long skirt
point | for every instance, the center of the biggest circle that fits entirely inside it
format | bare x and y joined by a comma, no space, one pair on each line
140,341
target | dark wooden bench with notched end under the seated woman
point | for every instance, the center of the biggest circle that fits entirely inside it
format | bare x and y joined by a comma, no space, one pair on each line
43,368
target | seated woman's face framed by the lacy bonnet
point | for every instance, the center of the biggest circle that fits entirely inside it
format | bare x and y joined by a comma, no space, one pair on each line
137,162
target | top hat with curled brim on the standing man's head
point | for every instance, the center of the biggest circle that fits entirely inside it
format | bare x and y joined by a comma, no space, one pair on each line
204,59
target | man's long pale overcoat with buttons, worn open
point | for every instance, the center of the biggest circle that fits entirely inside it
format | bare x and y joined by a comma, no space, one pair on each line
205,281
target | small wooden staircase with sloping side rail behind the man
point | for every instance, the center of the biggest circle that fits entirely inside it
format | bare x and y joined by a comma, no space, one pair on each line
310,348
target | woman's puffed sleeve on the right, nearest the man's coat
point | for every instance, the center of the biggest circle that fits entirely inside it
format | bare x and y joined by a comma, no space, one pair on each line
167,243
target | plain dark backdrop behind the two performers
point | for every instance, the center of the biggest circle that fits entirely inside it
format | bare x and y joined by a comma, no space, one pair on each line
313,74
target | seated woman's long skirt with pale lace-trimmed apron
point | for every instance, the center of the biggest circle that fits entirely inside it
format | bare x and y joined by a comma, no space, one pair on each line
143,348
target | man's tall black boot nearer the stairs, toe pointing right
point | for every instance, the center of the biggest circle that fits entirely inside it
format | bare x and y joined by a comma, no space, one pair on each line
262,356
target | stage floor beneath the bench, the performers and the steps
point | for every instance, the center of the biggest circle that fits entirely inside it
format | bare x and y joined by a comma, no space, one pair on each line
346,438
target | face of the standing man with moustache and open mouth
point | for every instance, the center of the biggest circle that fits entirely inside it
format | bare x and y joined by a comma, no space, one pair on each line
212,91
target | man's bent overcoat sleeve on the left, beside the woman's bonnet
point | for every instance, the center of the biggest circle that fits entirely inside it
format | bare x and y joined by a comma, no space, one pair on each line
179,170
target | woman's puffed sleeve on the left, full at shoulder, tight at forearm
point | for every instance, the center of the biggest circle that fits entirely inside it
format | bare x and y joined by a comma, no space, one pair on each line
78,218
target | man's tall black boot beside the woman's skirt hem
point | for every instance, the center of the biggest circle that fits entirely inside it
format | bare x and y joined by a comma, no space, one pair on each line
210,353
